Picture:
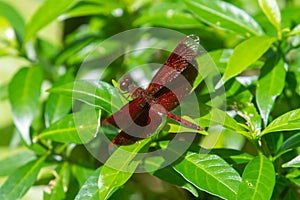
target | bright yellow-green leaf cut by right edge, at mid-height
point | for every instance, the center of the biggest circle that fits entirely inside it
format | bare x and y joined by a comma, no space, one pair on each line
285,122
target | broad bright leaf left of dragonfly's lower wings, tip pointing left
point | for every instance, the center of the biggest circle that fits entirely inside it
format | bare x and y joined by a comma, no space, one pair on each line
78,128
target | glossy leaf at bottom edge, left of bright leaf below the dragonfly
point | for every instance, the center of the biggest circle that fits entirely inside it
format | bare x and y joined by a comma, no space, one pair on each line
89,190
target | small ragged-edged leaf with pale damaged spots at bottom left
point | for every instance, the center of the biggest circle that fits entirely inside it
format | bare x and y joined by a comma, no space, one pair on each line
57,188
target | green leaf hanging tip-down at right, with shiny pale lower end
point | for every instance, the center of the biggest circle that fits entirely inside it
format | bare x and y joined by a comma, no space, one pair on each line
270,85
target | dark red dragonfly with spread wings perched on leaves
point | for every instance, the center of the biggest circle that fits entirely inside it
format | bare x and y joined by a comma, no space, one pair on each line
141,117
